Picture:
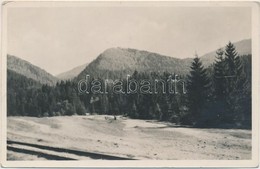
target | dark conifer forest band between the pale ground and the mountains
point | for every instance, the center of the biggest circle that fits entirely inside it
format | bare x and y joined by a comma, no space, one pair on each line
214,96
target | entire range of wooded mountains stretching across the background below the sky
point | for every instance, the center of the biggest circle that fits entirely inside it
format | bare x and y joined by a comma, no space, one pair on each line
118,62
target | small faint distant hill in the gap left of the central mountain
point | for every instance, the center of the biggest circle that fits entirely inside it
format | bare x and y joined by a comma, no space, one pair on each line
71,73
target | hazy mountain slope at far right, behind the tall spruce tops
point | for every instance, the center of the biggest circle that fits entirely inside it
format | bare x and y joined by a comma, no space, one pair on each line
243,47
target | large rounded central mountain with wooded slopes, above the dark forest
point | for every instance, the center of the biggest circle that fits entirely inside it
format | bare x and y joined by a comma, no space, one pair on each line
118,62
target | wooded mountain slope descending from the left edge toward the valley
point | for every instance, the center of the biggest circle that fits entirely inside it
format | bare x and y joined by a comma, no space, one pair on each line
29,70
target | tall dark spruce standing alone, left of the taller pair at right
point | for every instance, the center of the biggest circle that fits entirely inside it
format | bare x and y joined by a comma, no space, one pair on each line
197,87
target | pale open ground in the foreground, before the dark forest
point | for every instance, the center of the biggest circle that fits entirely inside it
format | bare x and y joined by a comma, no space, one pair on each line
127,138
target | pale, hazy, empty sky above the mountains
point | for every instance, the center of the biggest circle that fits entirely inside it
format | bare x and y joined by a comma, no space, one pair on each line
58,39
